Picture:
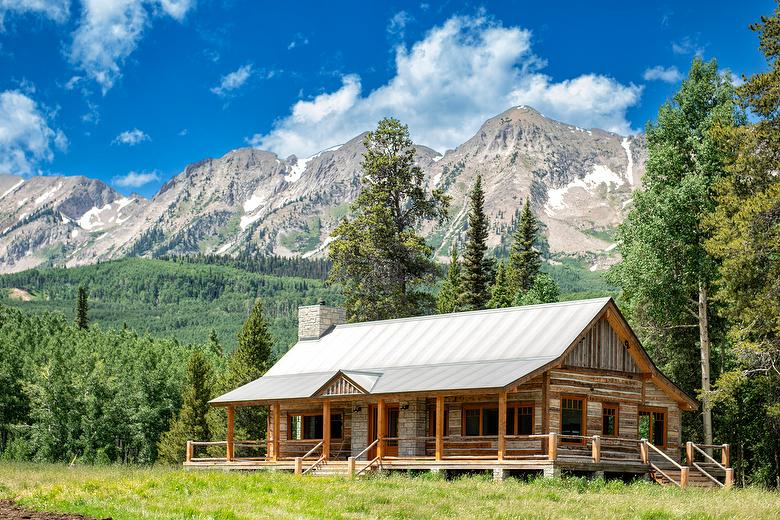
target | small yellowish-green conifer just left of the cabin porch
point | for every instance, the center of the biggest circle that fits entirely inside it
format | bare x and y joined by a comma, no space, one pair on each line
191,423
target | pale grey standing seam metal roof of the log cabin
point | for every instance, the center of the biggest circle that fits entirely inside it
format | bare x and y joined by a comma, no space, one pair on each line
466,350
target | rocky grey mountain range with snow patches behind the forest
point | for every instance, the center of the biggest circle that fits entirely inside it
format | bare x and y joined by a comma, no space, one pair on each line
580,182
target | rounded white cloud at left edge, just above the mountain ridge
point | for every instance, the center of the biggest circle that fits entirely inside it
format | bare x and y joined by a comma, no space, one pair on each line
26,139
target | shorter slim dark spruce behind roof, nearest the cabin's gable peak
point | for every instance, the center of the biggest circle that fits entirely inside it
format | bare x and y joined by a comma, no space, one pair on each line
524,259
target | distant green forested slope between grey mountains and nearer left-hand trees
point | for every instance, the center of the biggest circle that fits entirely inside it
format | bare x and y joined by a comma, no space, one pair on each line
183,298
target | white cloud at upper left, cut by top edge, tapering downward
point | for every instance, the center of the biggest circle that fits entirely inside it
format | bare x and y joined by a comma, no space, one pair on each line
110,30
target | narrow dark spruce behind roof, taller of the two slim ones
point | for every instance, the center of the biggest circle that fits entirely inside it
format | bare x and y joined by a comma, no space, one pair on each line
476,271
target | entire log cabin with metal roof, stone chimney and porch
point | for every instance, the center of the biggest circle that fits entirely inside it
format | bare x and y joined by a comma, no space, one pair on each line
541,388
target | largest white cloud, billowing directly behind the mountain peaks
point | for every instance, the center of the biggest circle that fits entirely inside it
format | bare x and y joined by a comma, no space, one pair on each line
445,86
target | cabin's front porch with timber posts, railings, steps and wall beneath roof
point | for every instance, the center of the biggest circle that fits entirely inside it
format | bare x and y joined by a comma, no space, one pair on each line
505,433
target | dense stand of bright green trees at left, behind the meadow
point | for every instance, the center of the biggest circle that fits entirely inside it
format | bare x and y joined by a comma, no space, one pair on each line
101,395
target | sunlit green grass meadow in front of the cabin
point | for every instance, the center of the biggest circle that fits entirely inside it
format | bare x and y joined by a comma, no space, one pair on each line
131,493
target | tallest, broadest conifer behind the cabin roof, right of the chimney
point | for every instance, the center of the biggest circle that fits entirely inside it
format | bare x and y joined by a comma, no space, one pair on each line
380,260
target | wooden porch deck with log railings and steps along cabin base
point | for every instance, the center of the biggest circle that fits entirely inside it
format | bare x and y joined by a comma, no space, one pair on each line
593,455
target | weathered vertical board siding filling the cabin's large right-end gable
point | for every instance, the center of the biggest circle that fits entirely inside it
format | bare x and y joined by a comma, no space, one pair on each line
602,348
